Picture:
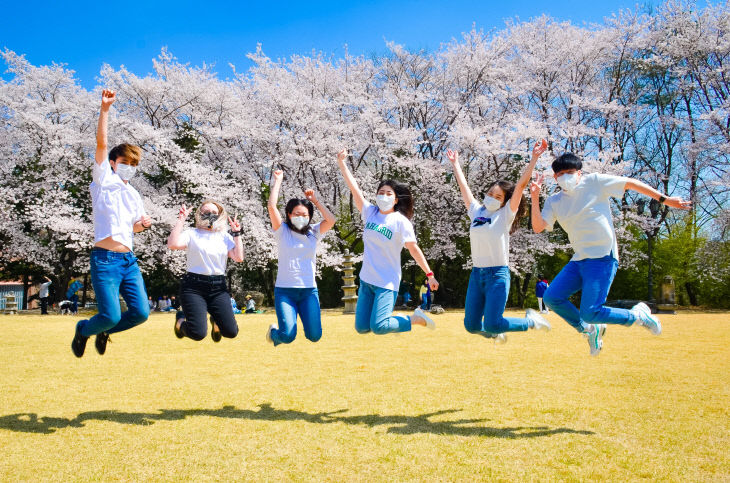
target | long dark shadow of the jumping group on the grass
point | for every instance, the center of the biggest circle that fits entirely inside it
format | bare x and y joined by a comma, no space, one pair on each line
31,423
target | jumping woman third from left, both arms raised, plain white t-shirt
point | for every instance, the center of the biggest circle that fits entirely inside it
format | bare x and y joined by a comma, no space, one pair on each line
295,290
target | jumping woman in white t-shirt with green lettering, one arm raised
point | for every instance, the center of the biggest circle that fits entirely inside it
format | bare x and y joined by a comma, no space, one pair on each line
387,228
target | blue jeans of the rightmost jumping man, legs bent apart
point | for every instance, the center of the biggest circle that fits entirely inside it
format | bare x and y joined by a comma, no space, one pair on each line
593,277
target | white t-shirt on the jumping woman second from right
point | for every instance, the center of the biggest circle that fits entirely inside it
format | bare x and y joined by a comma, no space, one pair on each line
490,235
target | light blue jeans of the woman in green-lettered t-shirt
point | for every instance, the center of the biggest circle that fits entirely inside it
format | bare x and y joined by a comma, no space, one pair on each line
374,311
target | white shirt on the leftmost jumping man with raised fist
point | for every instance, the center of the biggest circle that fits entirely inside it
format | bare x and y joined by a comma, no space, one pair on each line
116,206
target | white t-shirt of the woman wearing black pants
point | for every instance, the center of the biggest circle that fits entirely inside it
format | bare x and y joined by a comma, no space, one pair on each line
207,250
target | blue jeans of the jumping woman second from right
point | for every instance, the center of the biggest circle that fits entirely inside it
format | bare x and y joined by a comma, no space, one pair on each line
486,297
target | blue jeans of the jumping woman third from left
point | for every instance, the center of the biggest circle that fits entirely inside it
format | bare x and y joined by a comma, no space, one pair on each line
292,301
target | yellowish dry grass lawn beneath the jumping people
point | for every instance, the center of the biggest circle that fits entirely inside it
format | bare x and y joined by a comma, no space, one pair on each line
425,405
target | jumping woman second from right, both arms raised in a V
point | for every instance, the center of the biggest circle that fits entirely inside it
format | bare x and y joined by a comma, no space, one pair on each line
491,224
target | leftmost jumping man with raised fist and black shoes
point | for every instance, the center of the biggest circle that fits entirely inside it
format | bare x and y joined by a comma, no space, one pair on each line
118,214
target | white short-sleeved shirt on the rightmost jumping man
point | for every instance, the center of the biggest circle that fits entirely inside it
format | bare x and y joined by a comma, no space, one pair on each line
585,214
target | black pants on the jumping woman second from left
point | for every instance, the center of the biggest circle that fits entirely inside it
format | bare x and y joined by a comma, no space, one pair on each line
203,294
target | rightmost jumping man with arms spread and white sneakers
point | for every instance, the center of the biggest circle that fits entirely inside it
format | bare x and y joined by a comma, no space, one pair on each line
582,208
